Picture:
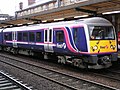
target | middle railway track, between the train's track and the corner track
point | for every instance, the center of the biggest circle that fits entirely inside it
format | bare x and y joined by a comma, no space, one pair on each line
63,79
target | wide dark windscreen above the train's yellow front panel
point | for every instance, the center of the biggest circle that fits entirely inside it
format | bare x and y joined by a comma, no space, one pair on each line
102,32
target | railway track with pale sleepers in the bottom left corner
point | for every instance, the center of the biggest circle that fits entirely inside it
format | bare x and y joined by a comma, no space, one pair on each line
9,83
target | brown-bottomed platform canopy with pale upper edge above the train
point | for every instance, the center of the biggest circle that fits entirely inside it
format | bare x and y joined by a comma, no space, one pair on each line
68,9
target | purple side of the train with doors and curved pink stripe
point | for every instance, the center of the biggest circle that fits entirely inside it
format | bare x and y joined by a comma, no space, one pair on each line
63,40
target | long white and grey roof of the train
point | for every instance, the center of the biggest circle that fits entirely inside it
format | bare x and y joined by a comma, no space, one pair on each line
87,21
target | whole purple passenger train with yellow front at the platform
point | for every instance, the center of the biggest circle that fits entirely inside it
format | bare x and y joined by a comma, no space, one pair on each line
84,43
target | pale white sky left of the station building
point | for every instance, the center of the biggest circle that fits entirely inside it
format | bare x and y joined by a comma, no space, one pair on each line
10,6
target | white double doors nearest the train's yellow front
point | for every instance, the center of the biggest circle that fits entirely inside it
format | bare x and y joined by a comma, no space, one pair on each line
48,40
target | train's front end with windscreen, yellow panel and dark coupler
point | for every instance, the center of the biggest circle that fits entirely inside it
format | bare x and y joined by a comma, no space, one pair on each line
102,46
